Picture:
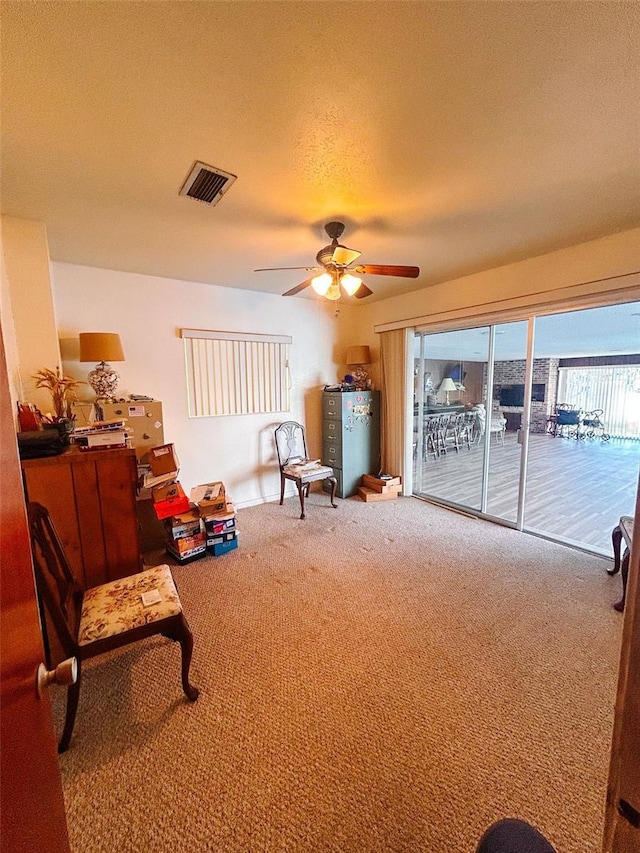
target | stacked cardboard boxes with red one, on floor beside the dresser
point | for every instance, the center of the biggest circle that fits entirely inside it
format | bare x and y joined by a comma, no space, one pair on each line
203,522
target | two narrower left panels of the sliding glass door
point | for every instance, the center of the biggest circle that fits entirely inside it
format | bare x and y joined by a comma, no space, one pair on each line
467,439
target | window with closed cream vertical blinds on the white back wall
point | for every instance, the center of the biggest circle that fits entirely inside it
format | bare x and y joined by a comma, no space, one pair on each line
231,373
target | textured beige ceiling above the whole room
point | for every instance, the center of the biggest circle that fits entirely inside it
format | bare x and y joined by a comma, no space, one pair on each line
449,135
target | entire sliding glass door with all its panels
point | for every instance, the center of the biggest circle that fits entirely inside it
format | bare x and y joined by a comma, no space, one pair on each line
535,423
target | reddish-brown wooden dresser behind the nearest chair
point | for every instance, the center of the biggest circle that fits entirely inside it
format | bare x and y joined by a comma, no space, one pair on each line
91,496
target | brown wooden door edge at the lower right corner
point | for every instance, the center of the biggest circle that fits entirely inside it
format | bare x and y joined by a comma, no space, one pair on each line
622,817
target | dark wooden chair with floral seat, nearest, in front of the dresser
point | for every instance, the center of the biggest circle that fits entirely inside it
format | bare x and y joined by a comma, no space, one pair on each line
105,617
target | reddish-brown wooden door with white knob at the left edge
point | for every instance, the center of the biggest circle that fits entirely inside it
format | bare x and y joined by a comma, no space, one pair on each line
32,815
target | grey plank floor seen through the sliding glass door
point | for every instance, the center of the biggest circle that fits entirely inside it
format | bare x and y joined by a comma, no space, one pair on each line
576,490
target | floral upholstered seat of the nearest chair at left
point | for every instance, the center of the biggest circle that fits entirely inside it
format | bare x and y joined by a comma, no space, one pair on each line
115,607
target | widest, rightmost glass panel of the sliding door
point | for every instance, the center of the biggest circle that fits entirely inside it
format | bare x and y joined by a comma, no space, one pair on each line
584,448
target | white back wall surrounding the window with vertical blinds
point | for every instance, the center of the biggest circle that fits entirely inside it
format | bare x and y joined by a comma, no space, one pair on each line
147,312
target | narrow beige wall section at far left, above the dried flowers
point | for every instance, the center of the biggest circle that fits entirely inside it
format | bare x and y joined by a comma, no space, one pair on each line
29,300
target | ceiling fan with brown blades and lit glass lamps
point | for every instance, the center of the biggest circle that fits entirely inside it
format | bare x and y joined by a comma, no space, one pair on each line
335,272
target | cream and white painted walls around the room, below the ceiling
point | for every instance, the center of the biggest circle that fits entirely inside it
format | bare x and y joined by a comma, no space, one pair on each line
148,311
